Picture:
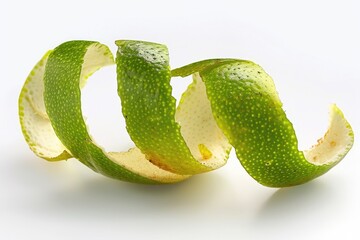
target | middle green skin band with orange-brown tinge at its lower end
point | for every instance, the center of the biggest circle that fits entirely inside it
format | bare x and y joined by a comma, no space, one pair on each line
144,75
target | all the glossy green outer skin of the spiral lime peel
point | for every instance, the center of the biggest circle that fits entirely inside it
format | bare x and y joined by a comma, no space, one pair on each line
243,99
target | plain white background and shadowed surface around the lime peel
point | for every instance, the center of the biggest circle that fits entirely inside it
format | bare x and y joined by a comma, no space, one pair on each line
310,48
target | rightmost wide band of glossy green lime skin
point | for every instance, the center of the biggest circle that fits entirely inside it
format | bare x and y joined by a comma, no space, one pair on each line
252,118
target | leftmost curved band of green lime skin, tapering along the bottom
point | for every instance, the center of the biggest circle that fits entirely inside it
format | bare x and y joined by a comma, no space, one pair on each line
63,104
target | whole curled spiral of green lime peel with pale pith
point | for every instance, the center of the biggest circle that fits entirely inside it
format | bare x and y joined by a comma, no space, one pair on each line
230,103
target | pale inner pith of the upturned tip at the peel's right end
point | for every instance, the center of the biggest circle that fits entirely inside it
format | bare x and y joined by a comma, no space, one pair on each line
336,142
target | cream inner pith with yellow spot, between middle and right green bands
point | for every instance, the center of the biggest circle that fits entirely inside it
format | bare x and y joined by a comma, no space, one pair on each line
204,138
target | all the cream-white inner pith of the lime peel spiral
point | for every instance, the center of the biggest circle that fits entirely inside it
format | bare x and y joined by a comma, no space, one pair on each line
194,114
